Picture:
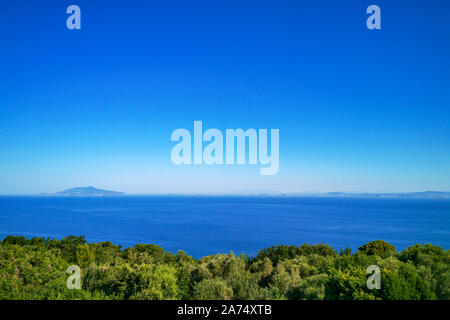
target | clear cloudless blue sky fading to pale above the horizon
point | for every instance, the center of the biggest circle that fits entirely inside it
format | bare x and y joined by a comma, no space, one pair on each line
358,110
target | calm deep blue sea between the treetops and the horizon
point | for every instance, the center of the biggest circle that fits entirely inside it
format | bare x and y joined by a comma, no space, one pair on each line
208,225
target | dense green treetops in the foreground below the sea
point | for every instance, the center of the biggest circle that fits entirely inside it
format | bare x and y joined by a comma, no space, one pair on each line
36,269
